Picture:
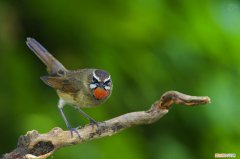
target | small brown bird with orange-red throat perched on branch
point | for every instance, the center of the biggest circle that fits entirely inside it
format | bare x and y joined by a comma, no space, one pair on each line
83,88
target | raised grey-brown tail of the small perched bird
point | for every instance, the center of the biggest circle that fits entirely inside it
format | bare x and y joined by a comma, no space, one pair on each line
53,65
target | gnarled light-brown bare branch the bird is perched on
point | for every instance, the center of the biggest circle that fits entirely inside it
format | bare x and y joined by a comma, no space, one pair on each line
41,146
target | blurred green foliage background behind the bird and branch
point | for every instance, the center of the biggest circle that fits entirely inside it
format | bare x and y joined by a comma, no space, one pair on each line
149,47
